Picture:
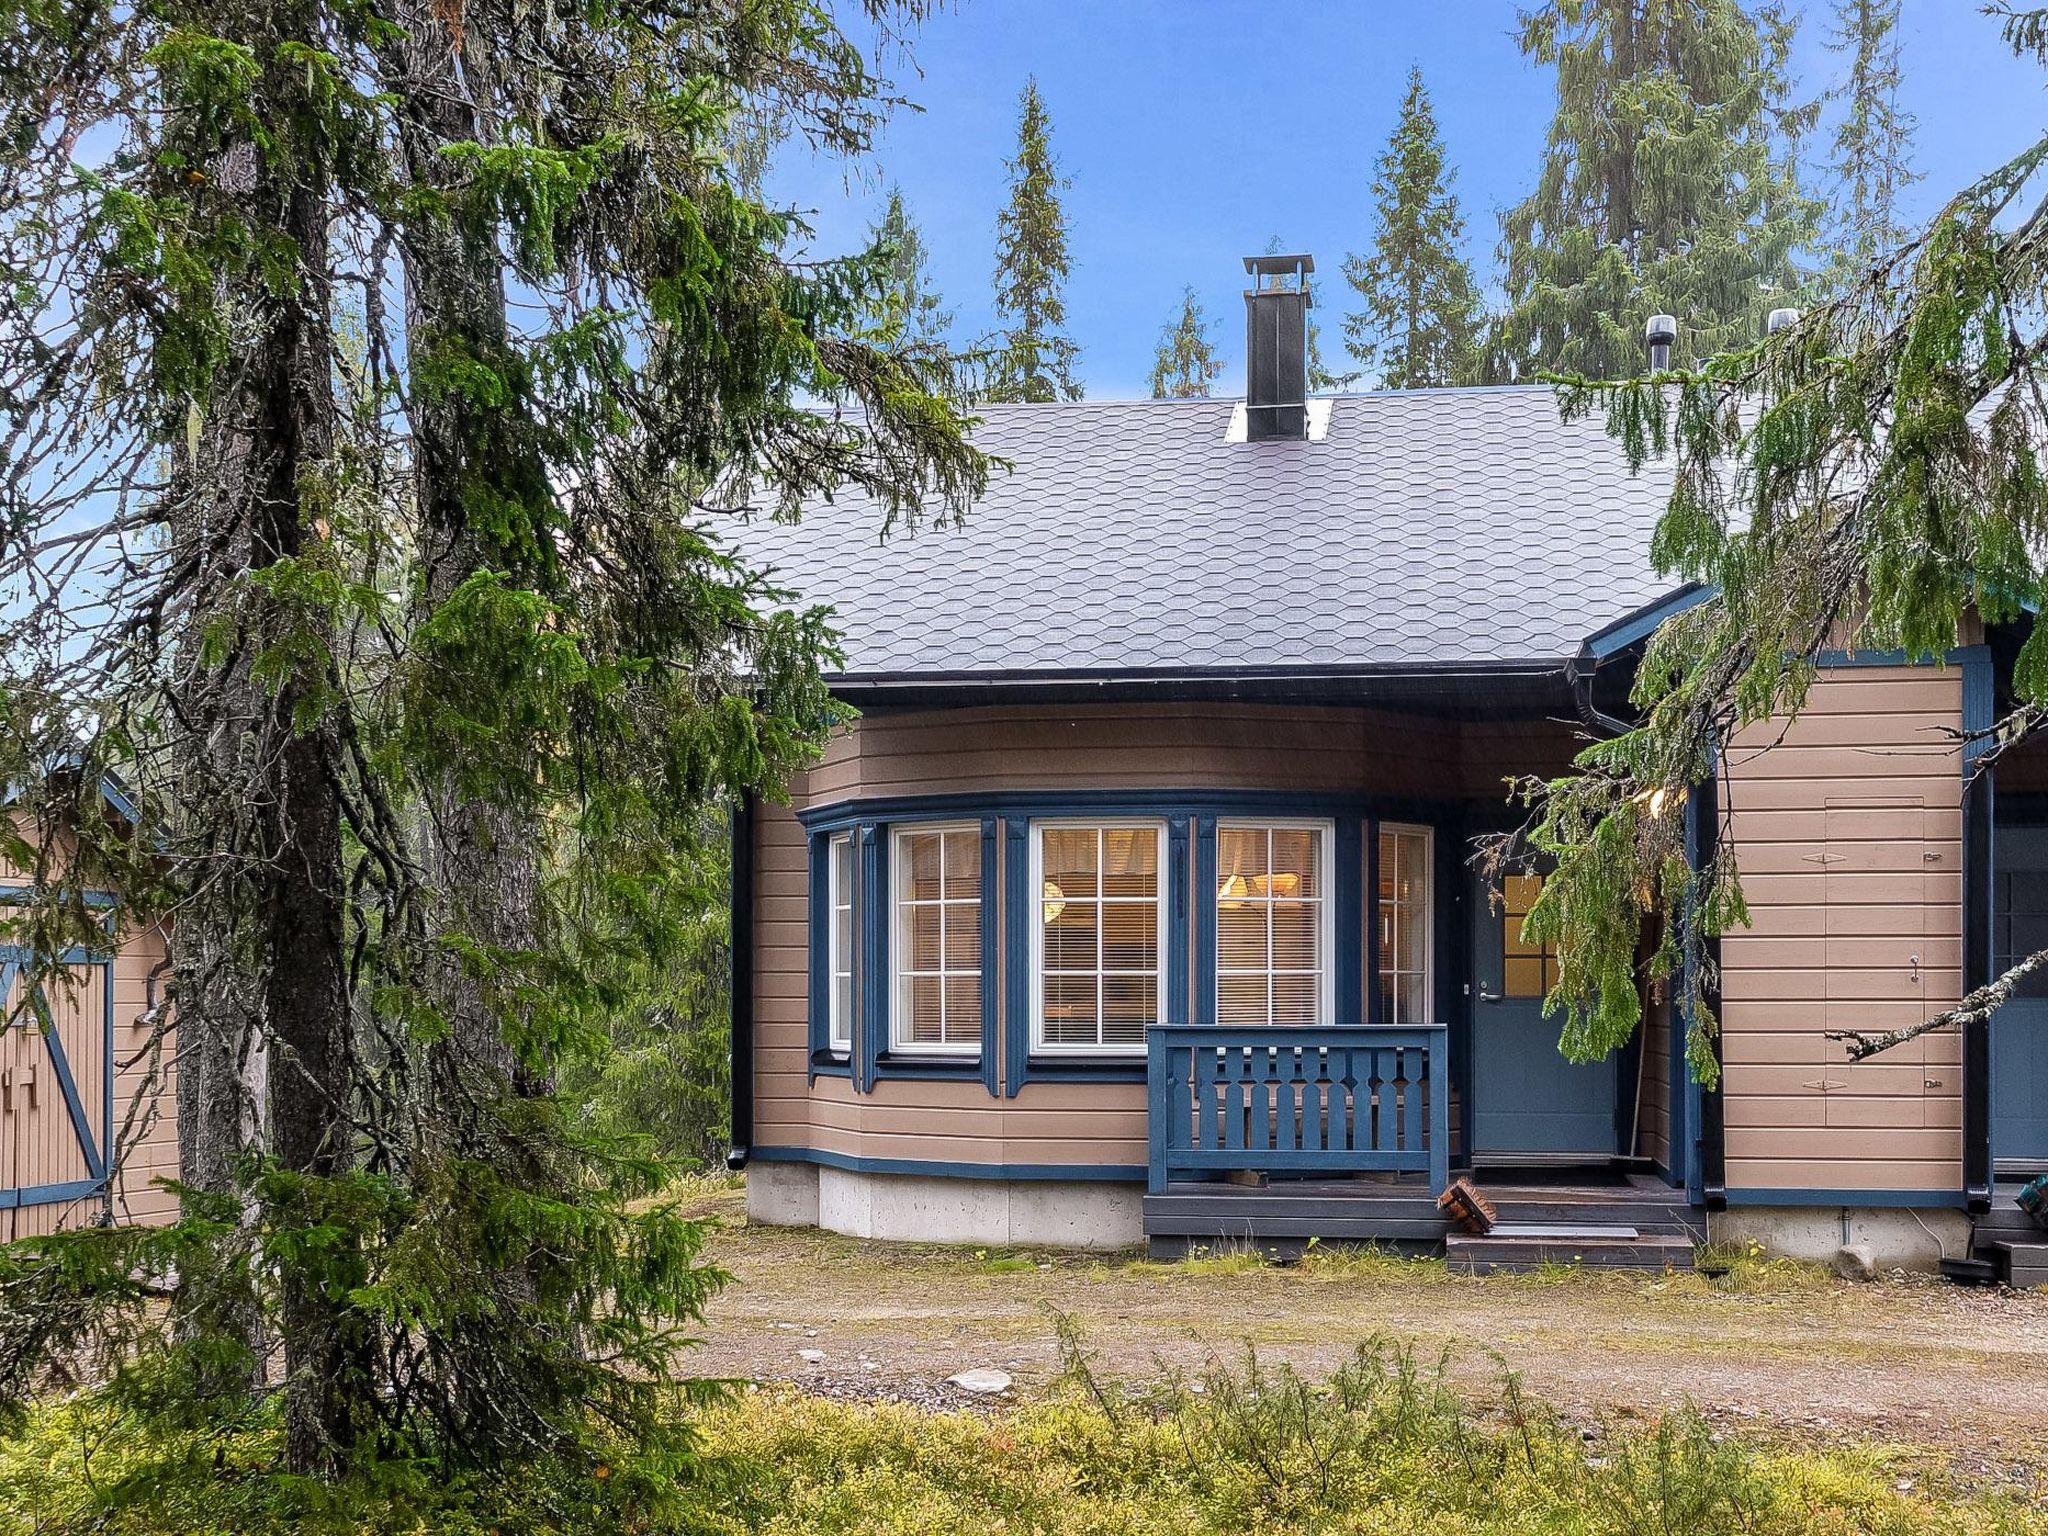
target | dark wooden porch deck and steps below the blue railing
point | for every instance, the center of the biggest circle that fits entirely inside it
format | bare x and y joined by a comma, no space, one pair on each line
1285,1215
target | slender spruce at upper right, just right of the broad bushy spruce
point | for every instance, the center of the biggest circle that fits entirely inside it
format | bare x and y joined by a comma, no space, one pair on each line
1871,159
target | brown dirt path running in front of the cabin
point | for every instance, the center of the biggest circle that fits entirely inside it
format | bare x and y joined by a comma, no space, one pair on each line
1783,1349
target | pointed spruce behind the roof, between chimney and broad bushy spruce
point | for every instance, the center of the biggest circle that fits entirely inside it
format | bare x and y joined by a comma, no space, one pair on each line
1420,321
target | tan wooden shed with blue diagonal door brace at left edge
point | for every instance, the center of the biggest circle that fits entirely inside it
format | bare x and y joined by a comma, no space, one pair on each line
87,1099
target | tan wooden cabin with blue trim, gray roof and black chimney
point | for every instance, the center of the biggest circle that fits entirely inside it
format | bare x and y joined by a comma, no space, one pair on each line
1138,902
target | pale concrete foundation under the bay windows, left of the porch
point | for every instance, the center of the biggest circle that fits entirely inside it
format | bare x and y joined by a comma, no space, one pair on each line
916,1209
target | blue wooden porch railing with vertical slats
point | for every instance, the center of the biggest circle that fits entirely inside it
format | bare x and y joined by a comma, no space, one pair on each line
1304,1101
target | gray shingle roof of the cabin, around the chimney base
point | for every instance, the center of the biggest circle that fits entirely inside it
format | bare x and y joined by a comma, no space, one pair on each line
1426,529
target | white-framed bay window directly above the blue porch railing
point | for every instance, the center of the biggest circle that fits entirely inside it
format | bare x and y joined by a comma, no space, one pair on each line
1273,923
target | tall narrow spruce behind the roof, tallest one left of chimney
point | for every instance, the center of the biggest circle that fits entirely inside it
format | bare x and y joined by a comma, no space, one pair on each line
1033,357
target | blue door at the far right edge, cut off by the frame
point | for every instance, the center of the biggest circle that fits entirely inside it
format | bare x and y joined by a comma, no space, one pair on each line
2020,1029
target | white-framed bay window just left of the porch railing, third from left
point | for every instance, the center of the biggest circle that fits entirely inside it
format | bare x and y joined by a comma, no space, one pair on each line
1099,955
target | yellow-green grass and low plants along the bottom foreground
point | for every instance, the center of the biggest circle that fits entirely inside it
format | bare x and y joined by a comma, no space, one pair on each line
1383,1445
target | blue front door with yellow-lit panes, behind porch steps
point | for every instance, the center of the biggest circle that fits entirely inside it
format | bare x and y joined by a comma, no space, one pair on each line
1527,1099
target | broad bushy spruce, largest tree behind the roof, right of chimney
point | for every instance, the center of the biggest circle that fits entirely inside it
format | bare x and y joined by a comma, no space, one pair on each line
1666,187
